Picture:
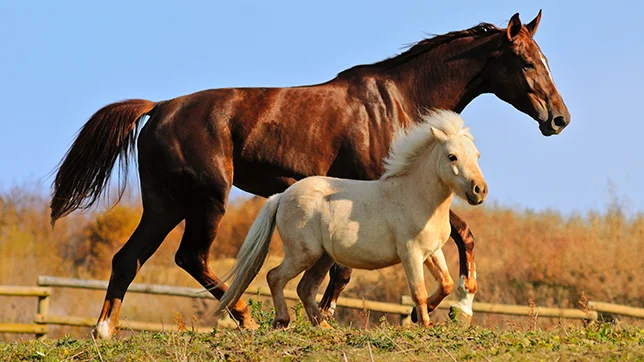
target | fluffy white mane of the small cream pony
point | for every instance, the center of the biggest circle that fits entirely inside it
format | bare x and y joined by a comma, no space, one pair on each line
410,143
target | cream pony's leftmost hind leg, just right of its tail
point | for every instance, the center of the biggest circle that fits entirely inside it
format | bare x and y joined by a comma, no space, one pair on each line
277,279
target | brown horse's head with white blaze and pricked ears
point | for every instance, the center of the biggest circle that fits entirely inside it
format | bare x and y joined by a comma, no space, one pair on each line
520,76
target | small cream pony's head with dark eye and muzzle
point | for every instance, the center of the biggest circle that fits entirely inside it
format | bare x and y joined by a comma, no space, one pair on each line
458,165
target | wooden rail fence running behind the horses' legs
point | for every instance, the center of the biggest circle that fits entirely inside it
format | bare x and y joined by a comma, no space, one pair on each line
43,319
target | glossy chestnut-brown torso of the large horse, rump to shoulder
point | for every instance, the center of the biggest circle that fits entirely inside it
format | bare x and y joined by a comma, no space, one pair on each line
264,139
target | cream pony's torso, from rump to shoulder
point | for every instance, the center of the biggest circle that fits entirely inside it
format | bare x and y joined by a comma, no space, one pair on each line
343,216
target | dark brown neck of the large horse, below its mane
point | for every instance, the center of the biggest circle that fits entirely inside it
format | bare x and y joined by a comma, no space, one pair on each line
447,77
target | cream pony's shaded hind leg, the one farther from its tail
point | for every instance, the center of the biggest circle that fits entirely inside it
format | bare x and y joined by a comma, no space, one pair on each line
308,287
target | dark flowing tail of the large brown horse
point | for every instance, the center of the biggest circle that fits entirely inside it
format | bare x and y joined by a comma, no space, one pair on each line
87,166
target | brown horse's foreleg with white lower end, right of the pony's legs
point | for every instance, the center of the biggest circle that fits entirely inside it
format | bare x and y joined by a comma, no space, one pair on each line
467,286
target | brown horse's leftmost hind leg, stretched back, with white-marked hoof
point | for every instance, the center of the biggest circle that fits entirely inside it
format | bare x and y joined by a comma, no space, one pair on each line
160,216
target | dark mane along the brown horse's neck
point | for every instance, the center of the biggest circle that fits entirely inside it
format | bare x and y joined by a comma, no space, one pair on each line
426,45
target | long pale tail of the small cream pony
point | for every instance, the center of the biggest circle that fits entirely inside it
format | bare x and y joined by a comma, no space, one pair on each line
252,254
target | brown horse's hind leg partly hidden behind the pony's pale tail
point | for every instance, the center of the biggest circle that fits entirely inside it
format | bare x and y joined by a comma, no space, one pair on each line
201,228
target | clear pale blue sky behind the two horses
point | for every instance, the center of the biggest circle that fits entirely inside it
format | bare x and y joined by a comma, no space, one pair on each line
62,61
